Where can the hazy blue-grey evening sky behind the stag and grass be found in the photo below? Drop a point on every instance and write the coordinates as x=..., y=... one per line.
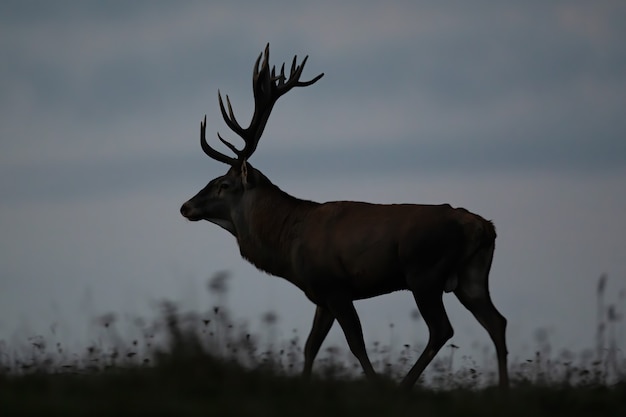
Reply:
x=513, y=110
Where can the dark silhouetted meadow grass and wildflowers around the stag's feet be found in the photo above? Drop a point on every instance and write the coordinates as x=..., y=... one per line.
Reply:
x=184, y=363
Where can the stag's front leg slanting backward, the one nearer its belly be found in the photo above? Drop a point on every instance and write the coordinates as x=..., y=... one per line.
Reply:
x=346, y=315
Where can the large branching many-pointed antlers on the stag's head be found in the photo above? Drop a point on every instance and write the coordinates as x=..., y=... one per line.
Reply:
x=267, y=88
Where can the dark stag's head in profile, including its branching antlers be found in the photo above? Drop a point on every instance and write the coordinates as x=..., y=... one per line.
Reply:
x=220, y=201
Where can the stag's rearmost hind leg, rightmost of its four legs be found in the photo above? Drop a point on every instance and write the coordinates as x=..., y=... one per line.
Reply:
x=473, y=292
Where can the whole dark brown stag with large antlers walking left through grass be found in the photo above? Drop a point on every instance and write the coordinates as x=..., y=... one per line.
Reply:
x=342, y=251
